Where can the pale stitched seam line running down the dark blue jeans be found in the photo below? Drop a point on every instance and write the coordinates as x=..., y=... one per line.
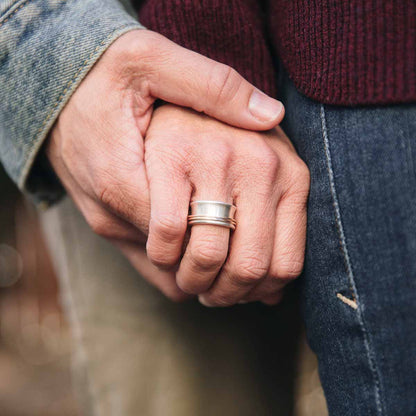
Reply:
x=370, y=354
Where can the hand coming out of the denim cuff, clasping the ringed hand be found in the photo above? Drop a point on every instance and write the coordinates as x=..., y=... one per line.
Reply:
x=96, y=146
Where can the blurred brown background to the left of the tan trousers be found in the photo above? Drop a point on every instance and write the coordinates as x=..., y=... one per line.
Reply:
x=35, y=340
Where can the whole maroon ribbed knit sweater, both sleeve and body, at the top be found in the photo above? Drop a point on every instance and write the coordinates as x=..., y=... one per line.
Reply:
x=346, y=52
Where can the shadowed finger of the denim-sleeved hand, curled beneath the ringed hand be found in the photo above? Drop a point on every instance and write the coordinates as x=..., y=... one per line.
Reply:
x=163, y=280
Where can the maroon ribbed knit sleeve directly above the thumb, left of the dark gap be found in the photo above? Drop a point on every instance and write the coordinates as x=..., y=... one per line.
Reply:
x=231, y=32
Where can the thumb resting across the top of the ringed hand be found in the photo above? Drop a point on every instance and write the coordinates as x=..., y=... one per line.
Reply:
x=188, y=79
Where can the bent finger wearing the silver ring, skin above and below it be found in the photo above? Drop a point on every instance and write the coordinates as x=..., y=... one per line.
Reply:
x=207, y=249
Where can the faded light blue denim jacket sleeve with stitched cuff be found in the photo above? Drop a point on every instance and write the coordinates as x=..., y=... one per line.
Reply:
x=46, y=49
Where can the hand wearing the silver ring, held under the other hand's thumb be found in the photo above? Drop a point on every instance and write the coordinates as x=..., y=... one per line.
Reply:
x=189, y=156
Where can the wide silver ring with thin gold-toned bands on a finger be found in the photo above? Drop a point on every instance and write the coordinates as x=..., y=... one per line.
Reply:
x=212, y=213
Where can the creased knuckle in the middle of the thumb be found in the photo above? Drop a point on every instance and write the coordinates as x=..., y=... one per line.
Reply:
x=223, y=83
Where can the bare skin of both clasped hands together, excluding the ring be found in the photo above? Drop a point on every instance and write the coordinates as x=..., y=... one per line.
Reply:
x=132, y=171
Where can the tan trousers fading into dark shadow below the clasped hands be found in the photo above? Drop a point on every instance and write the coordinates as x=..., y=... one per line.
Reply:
x=137, y=353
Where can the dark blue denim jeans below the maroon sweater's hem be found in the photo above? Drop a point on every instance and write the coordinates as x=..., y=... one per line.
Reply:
x=359, y=283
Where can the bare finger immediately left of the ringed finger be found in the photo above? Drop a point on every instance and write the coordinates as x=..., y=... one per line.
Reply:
x=170, y=192
